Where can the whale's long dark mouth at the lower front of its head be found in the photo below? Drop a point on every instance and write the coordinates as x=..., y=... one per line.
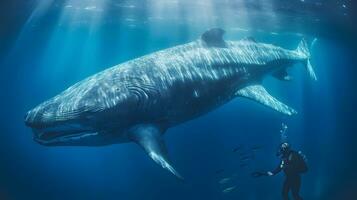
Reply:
x=64, y=134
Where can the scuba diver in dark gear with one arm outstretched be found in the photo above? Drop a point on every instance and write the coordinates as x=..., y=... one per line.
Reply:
x=293, y=164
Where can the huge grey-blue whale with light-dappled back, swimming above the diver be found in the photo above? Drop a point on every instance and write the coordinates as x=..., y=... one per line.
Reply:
x=139, y=100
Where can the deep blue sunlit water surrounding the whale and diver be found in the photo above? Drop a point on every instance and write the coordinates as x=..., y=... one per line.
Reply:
x=47, y=46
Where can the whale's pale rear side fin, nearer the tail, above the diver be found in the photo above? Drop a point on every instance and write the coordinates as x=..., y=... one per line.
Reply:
x=259, y=94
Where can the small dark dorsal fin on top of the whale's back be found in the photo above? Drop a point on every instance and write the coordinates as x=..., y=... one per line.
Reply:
x=214, y=38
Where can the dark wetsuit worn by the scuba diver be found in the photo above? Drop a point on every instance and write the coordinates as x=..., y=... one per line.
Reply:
x=293, y=180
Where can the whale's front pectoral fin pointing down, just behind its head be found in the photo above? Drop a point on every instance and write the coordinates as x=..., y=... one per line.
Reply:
x=149, y=137
